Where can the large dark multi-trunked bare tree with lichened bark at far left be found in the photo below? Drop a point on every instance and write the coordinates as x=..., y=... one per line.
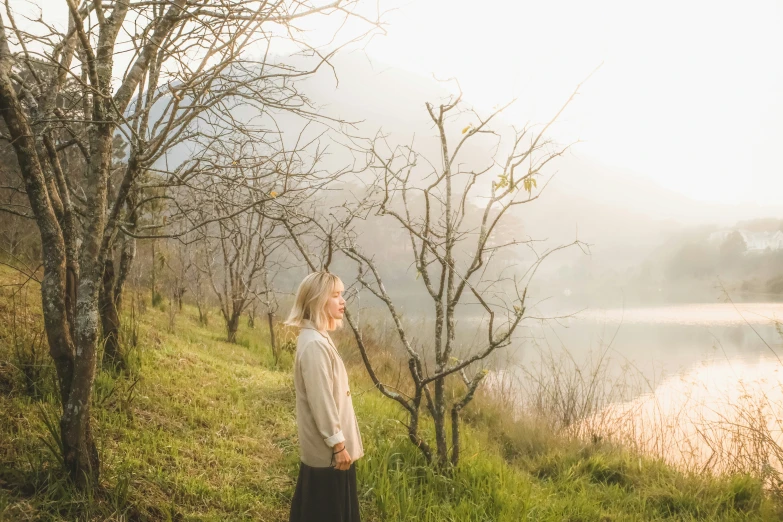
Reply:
x=152, y=71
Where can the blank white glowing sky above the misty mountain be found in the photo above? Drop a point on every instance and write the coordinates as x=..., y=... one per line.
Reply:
x=689, y=94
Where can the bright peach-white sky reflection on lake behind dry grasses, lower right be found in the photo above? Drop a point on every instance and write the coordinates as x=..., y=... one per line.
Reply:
x=719, y=416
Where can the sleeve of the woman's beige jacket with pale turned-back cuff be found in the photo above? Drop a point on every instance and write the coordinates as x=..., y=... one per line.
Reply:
x=318, y=376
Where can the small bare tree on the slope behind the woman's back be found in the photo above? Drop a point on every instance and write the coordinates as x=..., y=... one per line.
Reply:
x=241, y=246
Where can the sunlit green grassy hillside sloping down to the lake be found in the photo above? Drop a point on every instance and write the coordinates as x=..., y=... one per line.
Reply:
x=204, y=430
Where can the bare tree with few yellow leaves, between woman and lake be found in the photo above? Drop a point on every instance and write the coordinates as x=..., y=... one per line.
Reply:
x=452, y=215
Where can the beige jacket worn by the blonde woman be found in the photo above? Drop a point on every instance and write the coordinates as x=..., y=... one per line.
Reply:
x=324, y=409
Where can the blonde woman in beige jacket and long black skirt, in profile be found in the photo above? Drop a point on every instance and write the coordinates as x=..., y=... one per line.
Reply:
x=329, y=439
